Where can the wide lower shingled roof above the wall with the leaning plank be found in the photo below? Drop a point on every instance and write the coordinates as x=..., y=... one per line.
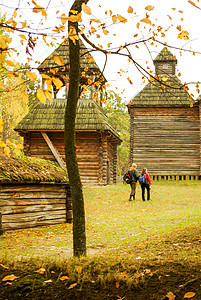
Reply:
x=50, y=117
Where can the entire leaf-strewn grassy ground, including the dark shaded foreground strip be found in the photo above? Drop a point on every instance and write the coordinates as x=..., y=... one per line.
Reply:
x=136, y=250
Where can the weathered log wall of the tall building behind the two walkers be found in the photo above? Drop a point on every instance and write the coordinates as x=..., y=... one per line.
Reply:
x=166, y=140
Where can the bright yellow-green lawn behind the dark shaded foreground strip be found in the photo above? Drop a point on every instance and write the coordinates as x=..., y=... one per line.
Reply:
x=116, y=226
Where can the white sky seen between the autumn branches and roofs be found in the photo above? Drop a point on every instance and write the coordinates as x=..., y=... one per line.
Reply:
x=188, y=65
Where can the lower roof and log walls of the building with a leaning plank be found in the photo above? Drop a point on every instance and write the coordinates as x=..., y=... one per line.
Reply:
x=96, y=139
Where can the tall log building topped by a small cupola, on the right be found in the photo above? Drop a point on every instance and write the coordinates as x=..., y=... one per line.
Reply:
x=165, y=125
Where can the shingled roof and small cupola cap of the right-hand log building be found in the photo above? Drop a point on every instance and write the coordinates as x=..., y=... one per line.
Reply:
x=167, y=90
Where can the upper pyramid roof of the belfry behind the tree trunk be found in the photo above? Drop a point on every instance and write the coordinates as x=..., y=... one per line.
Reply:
x=86, y=60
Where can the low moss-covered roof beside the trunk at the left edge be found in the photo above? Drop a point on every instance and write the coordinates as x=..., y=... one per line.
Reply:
x=30, y=170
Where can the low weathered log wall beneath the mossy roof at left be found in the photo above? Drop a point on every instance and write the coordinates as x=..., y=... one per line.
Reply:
x=31, y=205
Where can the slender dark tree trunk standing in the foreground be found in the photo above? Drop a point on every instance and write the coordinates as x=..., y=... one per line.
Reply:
x=79, y=235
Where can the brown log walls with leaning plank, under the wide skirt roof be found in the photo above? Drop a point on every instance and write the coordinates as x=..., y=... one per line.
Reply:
x=94, y=149
